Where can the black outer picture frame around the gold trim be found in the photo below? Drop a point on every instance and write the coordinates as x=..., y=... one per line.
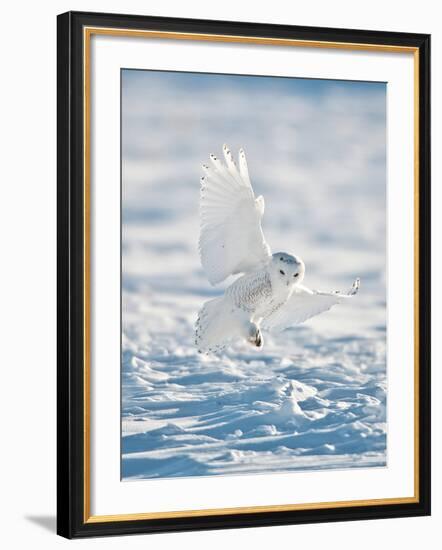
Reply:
x=71, y=502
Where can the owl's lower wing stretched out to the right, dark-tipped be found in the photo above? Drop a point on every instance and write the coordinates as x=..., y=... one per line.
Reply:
x=304, y=304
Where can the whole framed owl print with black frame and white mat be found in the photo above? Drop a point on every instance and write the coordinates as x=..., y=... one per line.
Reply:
x=243, y=274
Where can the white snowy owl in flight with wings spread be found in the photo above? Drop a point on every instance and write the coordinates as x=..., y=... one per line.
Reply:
x=268, y=294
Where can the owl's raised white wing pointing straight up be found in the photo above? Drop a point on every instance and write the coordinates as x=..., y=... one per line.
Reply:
x=231, y=238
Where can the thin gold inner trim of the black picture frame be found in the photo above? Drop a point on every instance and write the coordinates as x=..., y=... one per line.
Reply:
x=134, y=33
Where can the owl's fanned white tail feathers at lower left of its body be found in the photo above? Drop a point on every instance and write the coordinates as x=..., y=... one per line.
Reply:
x=215, y=326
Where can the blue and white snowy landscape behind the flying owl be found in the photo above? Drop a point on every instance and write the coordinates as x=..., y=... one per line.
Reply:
x=315, y=396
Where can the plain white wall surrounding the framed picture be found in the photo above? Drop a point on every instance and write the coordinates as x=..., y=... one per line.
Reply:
x=27, y=273
